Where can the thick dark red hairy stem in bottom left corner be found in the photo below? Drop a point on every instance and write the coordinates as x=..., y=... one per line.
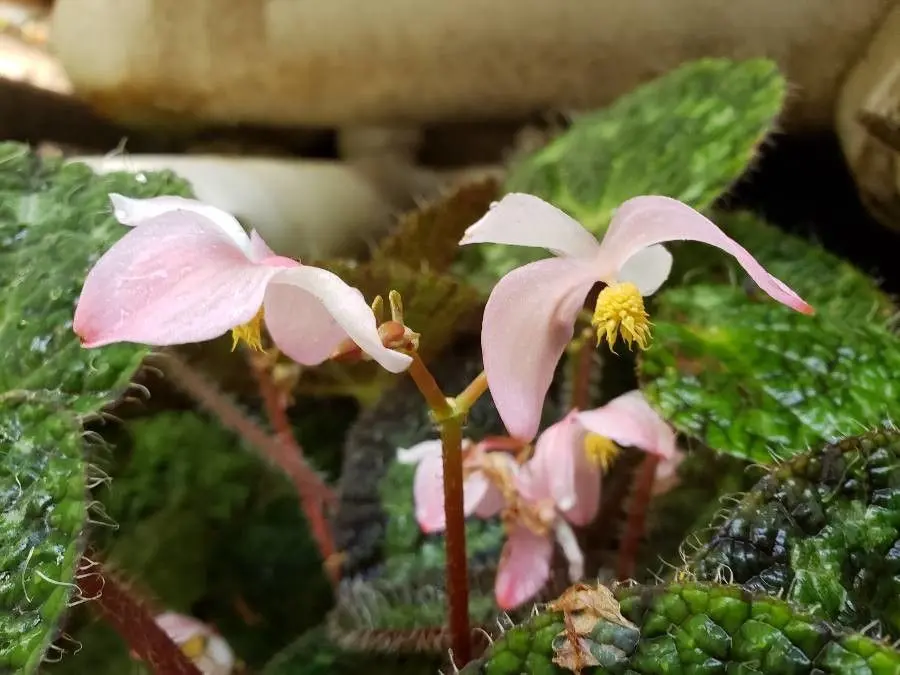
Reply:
x=132, y=620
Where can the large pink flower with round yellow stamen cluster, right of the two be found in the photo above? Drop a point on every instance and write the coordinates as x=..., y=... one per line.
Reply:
x=530, y=316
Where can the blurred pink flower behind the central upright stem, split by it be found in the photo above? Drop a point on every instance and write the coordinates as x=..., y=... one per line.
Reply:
x=480, y=496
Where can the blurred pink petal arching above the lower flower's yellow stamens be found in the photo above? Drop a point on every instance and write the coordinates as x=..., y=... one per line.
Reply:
x=630, y=421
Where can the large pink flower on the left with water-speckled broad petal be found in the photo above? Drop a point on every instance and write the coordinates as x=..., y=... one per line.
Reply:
x=188, y=272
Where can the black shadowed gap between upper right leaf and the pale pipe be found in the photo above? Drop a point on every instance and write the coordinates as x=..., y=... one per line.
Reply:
x=803, y=185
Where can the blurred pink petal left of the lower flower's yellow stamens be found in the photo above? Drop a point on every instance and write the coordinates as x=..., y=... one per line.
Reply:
x=560, y=470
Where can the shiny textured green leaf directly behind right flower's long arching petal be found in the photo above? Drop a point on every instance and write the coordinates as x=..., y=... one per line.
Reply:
x=744, y=374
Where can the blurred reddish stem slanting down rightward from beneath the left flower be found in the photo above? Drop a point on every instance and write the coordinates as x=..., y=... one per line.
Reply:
x=312, y=491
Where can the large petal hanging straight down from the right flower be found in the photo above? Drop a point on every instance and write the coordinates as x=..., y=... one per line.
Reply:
x=528, y=321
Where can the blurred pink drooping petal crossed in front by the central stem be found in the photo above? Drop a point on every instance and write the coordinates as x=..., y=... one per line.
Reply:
x=479, y=495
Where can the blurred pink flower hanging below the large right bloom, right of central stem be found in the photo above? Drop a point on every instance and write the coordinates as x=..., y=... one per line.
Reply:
x=561, y=483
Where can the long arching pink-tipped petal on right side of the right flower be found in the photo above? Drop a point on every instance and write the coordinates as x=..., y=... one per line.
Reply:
x=643, y=221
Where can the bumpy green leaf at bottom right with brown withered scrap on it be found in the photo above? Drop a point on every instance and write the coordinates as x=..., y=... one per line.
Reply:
x=701, y=629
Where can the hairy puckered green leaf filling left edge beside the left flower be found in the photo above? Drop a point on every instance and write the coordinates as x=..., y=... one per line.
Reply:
x=55, y=221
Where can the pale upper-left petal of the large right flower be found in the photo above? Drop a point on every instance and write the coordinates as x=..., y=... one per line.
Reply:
x=525, y=220
